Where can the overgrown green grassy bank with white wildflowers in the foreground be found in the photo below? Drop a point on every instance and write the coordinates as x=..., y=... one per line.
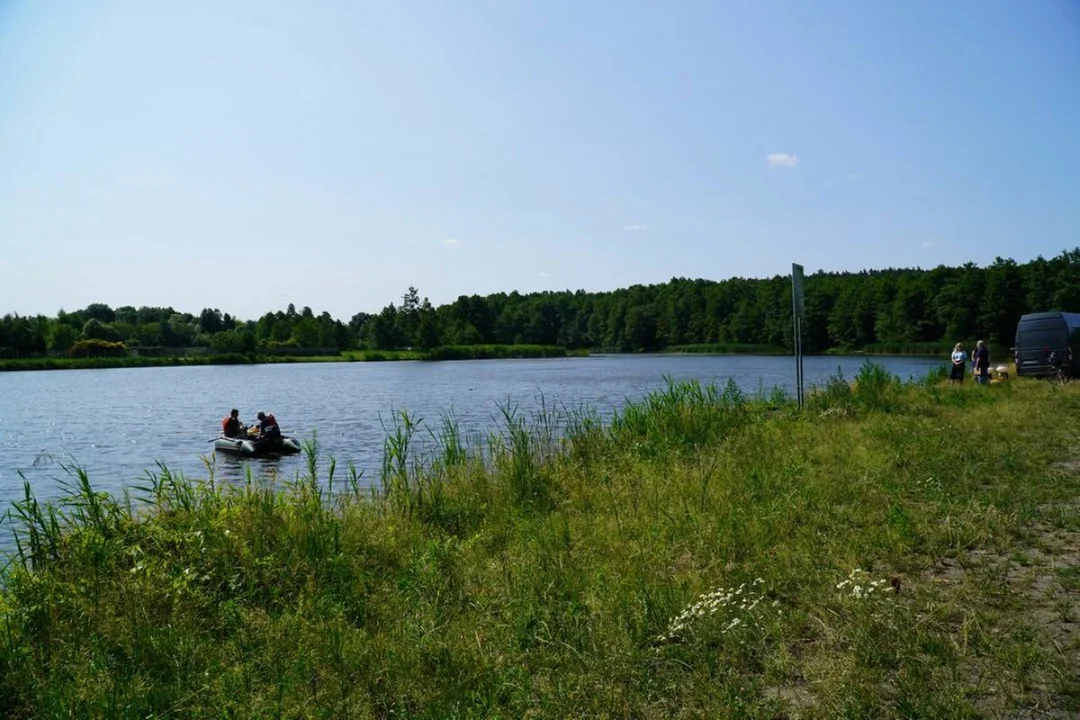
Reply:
x=890, y=552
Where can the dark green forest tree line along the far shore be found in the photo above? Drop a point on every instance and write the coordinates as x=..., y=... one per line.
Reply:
x=847, y=311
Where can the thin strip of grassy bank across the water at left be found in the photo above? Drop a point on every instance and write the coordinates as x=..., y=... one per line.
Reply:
x=447, y=352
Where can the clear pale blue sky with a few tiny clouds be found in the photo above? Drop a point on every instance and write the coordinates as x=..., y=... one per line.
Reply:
x=249, y=155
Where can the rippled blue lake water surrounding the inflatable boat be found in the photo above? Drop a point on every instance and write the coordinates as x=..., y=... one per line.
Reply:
x=119, y=424
